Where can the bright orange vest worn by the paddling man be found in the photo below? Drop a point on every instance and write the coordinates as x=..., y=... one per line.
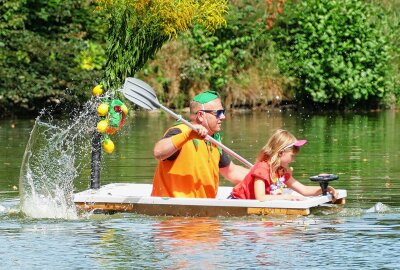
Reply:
x=193, y=174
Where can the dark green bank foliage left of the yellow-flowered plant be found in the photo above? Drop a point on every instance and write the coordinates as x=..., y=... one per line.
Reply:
x=44, y=45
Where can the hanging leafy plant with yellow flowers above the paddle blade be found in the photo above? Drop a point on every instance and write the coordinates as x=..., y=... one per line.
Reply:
x=138, y=28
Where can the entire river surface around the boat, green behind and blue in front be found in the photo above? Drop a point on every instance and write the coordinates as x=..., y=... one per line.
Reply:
x=363, y=149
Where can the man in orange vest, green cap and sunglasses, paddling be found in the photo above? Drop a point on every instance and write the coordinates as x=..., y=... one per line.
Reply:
x=188, y=165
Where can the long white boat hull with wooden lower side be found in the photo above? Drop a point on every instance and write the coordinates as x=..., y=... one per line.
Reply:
x=125, y=197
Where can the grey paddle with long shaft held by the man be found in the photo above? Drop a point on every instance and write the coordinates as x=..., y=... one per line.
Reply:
x=144, y=96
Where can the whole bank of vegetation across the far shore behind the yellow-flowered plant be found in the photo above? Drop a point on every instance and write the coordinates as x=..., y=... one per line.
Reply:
x=297, y=55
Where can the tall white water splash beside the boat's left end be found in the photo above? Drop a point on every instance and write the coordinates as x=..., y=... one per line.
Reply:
x=56, y=152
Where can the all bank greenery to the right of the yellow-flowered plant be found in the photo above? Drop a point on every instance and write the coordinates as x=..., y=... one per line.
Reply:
x=338, y=53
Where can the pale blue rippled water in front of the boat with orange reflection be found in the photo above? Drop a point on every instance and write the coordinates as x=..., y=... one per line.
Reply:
x=347, y=240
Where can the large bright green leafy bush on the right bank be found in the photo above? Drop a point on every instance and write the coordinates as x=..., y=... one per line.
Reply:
x=334, y=50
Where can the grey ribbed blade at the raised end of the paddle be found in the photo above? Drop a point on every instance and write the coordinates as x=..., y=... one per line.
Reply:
x=140, y=93
